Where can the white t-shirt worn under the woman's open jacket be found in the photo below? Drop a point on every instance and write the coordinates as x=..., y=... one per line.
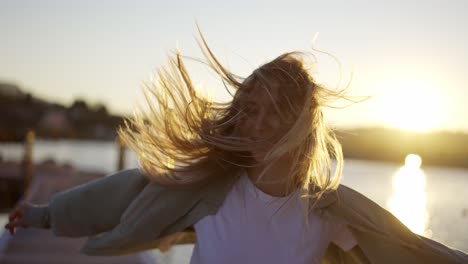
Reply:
x=254, y=227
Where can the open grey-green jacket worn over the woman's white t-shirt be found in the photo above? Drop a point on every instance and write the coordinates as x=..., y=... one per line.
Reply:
x=125, y=213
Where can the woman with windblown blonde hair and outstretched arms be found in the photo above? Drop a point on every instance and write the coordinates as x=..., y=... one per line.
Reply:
x=252, y=176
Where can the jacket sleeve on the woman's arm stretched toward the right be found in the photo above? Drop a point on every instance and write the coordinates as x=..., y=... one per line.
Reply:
x=382, y=237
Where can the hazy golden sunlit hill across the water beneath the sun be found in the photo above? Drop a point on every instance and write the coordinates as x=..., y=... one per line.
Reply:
x=436, y=148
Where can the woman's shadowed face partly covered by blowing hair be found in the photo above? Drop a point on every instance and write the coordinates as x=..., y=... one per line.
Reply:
x=262, y=122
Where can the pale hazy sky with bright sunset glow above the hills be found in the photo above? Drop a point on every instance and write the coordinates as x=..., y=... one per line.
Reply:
x=408, y=56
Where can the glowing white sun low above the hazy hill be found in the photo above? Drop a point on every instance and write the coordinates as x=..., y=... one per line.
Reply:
x=412, y=105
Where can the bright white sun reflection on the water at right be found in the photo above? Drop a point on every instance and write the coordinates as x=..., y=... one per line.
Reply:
x=409, y=198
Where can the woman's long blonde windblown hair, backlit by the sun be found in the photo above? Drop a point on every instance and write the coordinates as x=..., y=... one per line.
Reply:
x=185, y=138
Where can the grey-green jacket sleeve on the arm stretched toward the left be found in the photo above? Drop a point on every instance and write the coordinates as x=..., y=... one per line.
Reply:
x=91, y=208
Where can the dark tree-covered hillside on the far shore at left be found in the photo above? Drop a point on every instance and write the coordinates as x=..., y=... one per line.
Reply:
x=22, y=112
